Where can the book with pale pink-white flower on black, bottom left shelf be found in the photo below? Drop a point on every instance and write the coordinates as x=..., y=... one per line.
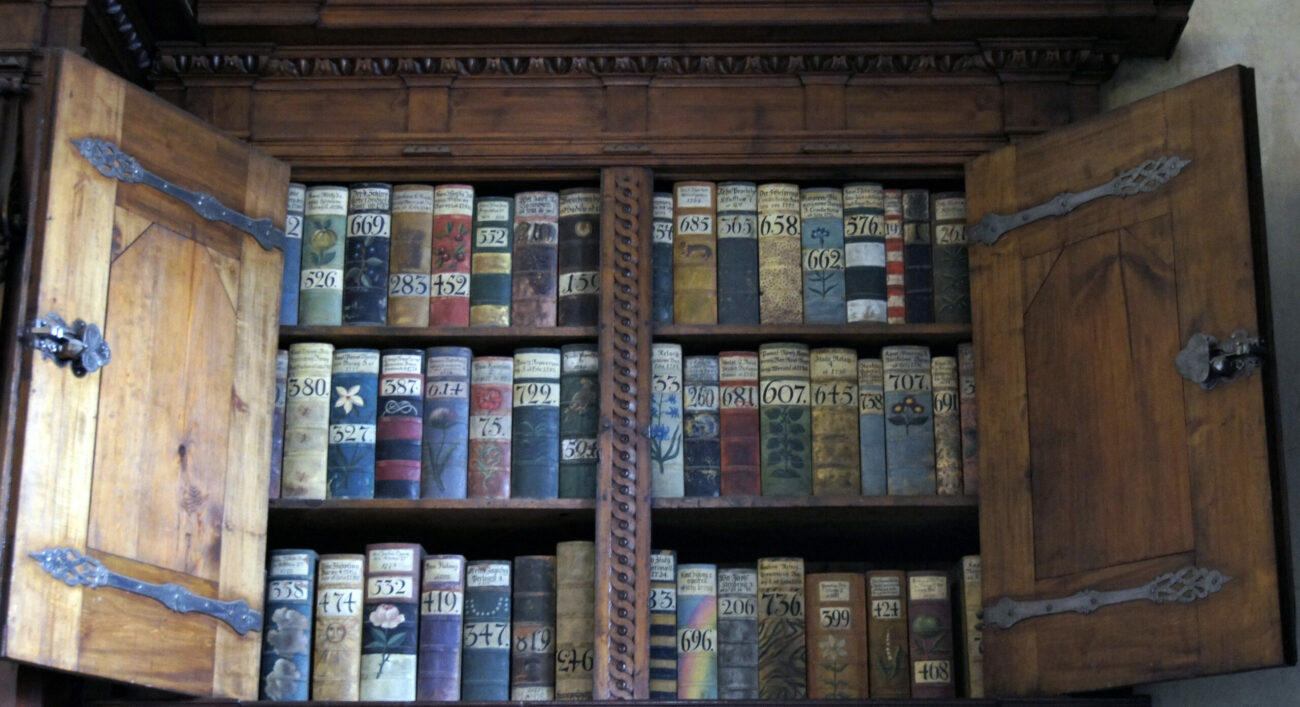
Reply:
x=392, y=623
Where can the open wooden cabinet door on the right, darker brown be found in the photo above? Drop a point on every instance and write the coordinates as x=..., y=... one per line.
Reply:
x=1128, y=517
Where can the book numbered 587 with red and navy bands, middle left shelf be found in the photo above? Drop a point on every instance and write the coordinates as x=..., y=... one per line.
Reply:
x=400, y=430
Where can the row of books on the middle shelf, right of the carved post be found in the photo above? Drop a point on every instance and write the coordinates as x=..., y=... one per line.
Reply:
x=790, y=420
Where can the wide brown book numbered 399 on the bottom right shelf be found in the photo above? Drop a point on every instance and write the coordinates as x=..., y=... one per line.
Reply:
x=838, y=636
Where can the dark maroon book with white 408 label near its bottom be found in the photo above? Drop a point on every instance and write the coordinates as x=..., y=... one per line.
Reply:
x=930, y=613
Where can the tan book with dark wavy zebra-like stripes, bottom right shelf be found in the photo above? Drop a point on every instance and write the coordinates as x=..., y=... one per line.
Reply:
x=782, y=649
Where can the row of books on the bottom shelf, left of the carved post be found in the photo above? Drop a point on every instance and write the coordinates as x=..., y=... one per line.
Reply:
x=396, y=624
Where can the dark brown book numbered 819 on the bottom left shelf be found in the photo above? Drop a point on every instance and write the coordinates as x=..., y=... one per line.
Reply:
x=532, y=657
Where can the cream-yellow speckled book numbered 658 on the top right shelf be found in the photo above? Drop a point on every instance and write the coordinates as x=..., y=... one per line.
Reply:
x=779, y=255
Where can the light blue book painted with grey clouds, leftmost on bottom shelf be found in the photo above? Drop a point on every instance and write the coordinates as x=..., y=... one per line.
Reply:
x=287, y=636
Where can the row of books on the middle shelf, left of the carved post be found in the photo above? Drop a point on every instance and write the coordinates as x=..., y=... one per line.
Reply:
x=441, y=423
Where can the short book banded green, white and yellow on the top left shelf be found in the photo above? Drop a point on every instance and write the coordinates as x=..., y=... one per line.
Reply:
x=491, y=271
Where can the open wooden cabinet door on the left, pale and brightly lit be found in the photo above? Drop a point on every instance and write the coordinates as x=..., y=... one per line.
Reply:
x=154, y=466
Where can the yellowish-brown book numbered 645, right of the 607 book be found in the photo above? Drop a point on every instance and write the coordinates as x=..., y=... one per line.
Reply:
x=837, y=470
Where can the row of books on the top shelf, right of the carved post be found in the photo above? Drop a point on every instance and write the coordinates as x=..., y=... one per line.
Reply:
x=775, y=254
